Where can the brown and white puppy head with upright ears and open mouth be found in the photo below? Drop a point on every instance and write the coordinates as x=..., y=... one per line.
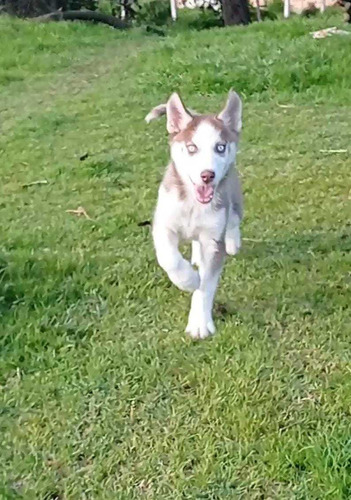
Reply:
x=203, y=147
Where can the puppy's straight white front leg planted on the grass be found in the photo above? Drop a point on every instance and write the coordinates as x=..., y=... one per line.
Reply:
x=200, y=323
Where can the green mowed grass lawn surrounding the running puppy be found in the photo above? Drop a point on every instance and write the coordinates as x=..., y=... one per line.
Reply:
x=103, y=395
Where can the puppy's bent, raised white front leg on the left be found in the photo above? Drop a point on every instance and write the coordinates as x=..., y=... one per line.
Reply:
x=179, y=270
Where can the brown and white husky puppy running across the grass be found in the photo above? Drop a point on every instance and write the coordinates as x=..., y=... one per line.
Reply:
x=200, y=201
